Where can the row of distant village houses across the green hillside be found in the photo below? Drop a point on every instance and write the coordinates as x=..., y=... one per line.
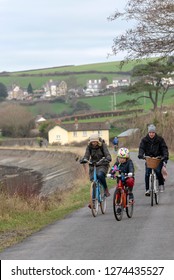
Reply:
x=54, y=89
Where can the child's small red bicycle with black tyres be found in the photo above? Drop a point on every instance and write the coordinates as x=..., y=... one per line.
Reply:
x=121, y=197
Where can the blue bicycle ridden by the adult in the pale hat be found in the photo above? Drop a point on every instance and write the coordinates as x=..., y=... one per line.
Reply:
x=97, y=192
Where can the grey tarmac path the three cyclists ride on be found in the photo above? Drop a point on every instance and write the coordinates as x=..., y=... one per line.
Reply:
x=147, y=235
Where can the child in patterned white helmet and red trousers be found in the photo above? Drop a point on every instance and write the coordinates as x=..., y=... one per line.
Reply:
x=125, y=165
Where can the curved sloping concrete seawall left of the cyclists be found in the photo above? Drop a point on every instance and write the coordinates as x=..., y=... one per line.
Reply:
x=38, y=171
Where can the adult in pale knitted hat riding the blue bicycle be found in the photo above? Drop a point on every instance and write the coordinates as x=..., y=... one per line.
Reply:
x=95, y=151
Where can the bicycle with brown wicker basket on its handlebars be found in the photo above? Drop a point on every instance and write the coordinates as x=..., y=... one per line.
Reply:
x=153, y=162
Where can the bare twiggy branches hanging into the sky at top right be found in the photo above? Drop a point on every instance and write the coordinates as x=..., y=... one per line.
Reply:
x=153, y=34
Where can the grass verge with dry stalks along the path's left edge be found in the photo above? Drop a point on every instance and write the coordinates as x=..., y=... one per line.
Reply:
x=21, y=216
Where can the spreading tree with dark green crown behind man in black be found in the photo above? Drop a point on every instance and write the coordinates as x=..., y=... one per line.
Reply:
x=149, y=81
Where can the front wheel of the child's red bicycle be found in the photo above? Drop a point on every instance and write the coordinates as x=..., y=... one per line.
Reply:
x=117, y=205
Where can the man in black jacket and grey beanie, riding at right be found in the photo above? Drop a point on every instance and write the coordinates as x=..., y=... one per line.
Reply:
x=153, y=145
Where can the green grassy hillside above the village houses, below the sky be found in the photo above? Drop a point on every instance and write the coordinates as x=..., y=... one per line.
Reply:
x=80, y=73
